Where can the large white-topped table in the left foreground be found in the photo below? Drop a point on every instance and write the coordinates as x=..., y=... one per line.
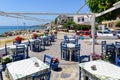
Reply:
x=23, y=69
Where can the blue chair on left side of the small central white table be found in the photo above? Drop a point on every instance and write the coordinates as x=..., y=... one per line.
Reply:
x=64, y=51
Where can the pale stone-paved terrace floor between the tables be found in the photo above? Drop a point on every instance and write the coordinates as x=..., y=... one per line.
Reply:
x=68, y=69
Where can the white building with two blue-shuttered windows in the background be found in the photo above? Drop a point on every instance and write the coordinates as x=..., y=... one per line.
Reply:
x=81, y=19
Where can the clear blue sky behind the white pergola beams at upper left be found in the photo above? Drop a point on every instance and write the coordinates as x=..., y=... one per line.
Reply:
x=44, y=6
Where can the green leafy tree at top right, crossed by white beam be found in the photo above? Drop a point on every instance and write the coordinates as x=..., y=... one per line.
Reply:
x=97, y=6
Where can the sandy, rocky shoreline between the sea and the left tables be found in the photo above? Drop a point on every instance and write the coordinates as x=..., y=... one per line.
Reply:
x=24, y=34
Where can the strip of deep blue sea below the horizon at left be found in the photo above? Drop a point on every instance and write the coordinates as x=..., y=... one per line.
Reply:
x=4, y=29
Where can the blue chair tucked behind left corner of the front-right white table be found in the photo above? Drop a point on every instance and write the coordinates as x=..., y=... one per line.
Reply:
x=81, y=59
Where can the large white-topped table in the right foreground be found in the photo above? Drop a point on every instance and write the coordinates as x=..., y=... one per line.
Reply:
x=104, y=70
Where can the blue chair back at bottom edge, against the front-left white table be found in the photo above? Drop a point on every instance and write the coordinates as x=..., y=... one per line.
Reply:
x=42, y=76
